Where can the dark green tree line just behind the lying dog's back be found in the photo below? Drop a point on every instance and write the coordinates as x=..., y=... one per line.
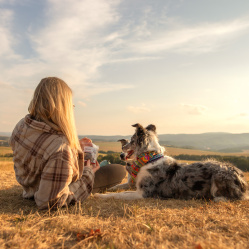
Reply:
x=241, y=162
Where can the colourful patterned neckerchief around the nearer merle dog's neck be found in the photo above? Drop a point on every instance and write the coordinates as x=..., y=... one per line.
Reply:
x=143, y=159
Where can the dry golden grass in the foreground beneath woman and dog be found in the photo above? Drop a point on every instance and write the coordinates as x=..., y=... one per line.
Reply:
x=146, y=223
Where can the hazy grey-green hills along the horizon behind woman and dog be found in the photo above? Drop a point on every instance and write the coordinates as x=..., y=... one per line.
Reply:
x=212, y=141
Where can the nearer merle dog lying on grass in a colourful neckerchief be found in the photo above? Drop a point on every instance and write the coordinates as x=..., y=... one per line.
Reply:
x=160, y=176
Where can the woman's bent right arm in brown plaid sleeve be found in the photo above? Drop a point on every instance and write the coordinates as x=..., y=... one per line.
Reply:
x=55, y=188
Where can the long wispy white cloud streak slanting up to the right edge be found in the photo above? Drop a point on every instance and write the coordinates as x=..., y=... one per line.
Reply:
x=201, y=38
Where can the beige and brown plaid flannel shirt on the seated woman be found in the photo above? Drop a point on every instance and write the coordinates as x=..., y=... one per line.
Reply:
x=46, y=166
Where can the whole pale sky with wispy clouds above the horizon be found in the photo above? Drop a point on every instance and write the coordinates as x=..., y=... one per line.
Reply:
x=179, y=64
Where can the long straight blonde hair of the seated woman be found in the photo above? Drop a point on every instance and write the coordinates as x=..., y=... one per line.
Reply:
x=52, y=104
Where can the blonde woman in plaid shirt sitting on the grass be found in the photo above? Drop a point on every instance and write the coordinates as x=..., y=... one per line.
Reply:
x=48, y=158
